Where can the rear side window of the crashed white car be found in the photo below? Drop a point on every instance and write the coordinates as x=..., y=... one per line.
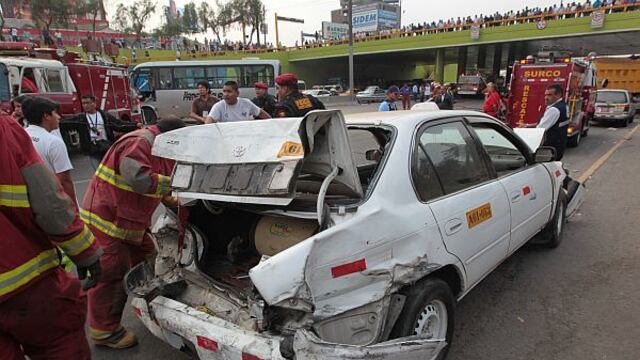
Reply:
x=453, y=160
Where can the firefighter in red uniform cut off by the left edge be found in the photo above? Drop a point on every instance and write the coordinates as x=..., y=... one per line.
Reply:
x=42, y=309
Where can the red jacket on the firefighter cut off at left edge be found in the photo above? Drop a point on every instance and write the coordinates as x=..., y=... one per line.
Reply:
x=36, y=216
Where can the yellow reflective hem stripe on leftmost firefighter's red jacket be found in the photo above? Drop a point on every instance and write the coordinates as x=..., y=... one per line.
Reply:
x=12, y=280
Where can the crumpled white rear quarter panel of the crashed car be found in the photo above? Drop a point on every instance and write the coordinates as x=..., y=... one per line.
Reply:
x=395, y=235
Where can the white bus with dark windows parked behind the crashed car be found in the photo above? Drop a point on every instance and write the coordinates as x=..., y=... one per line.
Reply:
x=169, y=87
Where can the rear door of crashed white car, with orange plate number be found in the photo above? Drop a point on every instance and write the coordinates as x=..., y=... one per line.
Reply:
x=468, y=203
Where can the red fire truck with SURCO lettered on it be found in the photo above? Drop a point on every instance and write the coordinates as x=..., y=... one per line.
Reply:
x=531, y=77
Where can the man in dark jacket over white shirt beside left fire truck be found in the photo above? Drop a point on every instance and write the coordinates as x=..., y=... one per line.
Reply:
x=100, y=129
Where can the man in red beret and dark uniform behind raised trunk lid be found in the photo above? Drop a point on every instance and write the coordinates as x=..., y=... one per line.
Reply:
x=293, y=103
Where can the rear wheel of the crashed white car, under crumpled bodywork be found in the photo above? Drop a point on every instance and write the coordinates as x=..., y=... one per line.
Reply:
x=429, y=303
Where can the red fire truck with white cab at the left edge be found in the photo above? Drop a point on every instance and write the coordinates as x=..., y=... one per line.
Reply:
x=65, y=77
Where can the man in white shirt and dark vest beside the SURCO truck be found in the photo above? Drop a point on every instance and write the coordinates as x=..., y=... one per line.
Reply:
x=555, y=120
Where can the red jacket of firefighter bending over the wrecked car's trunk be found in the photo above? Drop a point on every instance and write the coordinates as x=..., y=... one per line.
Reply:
x=127, y=187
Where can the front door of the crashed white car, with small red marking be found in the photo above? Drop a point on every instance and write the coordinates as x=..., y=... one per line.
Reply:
x=527, y=184
